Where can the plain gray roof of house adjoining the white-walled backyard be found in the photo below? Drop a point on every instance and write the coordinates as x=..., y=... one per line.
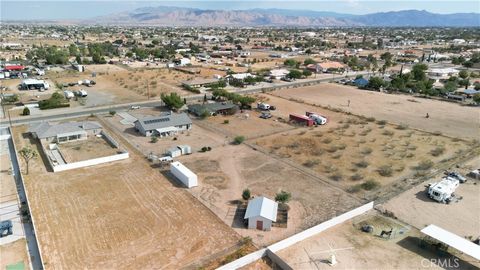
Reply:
x=47, y=130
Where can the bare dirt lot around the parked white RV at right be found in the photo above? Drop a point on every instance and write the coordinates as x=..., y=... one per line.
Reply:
x=459, y=217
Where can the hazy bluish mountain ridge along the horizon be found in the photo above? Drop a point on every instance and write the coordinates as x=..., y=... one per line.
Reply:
x=178, y=16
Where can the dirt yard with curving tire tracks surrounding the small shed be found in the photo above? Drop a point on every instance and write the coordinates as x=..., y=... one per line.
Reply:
x=226, y=171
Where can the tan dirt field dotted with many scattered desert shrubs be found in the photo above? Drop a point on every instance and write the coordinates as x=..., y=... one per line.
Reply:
x=359, y=154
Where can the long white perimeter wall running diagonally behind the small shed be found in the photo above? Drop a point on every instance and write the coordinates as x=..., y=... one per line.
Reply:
x=297, y=237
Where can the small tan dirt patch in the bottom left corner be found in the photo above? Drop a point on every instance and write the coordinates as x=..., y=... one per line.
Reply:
x=14, y=253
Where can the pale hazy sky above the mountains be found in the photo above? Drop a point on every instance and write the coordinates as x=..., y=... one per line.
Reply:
x=74, y=9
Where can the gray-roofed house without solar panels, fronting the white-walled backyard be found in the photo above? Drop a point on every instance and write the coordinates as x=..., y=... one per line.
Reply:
x=48, y=132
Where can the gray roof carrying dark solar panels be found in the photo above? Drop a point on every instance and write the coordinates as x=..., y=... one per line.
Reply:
x=164, y=120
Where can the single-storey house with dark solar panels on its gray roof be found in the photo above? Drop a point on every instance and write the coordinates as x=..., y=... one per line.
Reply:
x=166, y=124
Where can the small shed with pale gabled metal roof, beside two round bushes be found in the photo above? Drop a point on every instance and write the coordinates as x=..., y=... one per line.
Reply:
x=261, y=212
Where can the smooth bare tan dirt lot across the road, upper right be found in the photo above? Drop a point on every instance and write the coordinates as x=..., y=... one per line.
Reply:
x=448, y=118
